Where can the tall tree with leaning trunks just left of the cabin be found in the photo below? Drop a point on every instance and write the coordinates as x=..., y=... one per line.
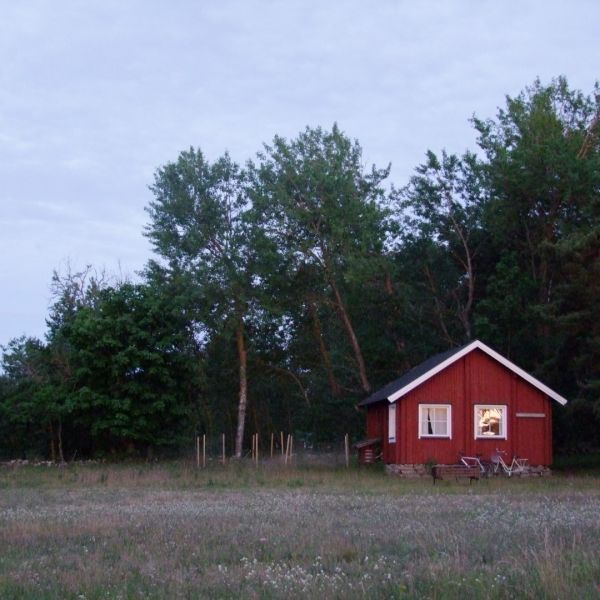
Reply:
x=322, y=214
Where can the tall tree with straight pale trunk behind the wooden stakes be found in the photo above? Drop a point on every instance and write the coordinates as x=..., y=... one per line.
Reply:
x=198, y=226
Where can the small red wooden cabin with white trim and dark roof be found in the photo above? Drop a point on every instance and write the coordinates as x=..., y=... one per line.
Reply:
x=468, y=400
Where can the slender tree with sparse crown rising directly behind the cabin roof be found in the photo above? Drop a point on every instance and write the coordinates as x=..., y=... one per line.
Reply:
x=441, y=210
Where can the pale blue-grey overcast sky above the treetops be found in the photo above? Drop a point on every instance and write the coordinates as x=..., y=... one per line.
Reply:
x=95, y=95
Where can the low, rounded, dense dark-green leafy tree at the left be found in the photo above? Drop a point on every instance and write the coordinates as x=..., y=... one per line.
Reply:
x=135, y=367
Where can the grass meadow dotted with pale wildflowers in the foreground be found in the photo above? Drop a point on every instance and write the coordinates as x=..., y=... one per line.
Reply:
x=171, y=531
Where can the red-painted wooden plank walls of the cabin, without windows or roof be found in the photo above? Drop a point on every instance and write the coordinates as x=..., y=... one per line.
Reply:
x=474, y=379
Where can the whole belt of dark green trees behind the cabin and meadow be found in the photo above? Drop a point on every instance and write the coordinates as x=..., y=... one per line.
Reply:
x=284, y=290
